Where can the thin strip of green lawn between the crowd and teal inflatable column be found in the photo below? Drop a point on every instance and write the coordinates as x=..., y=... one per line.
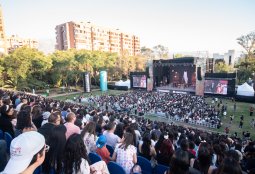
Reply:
x=93, y=93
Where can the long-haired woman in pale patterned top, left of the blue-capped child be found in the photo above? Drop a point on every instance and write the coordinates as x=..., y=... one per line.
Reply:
x=89, y=136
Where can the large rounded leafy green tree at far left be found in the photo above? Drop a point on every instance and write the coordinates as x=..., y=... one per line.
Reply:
x=25, y=66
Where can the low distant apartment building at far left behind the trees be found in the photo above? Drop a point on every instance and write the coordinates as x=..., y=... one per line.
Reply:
x=15, y=42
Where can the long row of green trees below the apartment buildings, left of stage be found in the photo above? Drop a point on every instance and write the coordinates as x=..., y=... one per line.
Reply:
x=29, y=68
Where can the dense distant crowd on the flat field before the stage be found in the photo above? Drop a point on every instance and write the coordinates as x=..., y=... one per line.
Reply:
x=178, y=106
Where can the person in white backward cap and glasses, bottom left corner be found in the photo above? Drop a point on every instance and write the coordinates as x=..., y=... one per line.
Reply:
x=27, y=152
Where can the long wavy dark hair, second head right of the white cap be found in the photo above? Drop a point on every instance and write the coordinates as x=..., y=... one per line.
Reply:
x=75, y=150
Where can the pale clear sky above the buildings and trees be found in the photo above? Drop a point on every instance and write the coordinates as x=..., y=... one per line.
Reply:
x=180, y=25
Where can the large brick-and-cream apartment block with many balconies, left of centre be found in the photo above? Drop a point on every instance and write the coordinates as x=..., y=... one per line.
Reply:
x=84, y=35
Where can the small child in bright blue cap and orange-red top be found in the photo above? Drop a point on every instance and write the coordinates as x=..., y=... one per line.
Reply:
x=102, y=150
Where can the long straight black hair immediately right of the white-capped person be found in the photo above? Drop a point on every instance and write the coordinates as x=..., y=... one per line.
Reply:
x=54, y=157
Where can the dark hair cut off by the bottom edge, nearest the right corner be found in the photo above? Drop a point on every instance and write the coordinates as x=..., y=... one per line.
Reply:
x=229, y=165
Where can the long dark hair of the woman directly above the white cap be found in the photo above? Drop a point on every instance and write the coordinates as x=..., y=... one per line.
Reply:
x=23, y=120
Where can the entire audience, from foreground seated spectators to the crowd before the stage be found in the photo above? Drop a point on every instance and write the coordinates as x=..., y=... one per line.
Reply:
x=58, y=136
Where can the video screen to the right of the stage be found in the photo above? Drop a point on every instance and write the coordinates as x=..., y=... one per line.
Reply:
x=216, y=86
